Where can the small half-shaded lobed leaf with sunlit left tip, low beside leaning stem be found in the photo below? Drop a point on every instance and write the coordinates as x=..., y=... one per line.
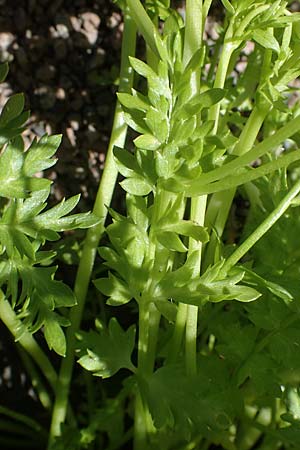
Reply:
x=106, y=352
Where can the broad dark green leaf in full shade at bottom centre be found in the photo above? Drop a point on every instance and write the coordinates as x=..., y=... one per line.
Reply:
x=190, y=404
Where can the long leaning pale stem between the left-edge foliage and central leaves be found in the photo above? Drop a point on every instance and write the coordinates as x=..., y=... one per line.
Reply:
x=103, y=199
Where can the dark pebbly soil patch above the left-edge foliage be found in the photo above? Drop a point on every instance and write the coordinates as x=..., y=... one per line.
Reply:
x=64, y=55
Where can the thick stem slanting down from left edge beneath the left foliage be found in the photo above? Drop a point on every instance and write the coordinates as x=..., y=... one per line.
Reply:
x=25, y=339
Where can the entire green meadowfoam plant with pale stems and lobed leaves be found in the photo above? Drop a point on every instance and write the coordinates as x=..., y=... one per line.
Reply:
x=209, y=357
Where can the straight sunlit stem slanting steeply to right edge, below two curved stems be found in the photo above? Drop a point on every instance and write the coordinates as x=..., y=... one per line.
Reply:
x=261, y=229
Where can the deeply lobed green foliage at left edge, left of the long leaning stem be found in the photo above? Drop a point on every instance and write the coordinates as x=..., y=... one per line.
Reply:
x=25, y=275
